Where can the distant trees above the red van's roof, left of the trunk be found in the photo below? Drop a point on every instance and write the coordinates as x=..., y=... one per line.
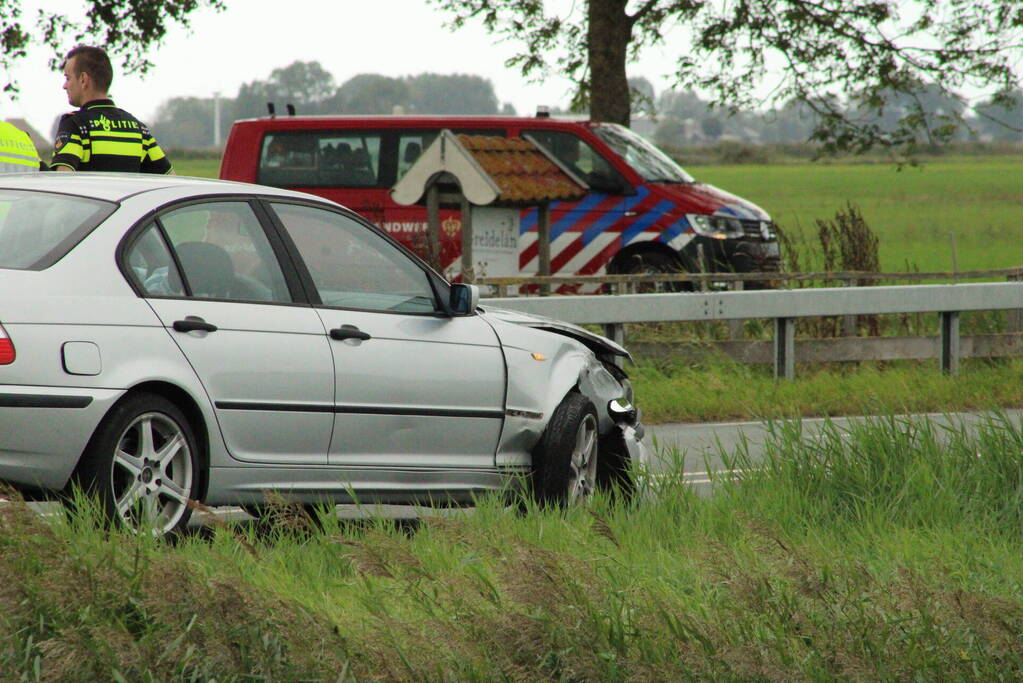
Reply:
x=189, y=122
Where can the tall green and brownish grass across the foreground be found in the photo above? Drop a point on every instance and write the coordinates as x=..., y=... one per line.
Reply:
x=886, y=552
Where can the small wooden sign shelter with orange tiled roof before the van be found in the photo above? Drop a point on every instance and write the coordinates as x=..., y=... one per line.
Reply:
x=492, y=179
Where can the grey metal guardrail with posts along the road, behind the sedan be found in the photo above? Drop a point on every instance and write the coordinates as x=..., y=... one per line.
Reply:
x=784, y=306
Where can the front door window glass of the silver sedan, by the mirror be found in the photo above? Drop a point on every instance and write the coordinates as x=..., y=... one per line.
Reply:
x=352, y=266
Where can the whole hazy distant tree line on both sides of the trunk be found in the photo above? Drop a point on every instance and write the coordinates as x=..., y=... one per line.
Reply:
x=672, y=118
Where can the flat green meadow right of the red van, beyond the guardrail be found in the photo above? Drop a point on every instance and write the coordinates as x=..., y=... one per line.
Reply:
x=917, y=212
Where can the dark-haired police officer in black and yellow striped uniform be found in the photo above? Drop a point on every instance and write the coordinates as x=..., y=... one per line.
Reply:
x=100, y=136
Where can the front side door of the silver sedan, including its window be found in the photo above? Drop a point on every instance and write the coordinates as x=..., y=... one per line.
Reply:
x=414, y=388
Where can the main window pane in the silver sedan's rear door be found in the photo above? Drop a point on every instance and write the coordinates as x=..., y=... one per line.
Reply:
x=225, y=253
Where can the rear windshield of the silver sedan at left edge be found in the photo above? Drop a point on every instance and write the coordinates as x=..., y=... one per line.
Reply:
x=37, y=230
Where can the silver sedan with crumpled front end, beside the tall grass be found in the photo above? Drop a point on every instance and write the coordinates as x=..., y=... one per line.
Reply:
x=166, y=340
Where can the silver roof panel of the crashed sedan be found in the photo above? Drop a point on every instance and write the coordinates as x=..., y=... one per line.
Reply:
x=118, y=187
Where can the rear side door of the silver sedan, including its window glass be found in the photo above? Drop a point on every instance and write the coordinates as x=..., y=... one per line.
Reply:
x=212, y=276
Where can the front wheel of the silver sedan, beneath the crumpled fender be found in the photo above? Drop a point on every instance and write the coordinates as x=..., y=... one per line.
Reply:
x=565, y=462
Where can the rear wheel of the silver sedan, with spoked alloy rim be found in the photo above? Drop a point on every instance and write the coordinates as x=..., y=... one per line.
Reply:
x=144, y=466
